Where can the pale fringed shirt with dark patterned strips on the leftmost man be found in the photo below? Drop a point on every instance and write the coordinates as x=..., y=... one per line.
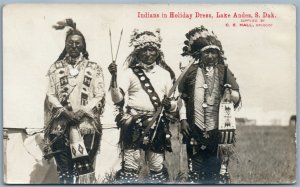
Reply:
x=84, y=91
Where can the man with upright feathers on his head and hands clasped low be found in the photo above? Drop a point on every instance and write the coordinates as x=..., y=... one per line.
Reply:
x=74, y=102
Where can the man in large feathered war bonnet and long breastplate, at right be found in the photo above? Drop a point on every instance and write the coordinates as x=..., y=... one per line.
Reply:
x=207, y=82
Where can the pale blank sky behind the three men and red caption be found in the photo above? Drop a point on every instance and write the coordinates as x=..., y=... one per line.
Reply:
x=262, y=58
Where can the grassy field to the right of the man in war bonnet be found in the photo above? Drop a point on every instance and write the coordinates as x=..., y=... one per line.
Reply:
x=267, y=155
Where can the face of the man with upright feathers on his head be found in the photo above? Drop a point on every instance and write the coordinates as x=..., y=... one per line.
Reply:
x=74, y=45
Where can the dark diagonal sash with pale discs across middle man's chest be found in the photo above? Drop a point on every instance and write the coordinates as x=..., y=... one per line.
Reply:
x=147, y=86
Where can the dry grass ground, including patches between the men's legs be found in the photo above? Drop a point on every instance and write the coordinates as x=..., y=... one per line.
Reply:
x=267, y=155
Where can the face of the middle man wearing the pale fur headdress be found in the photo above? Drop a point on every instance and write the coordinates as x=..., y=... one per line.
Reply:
x=148, y=55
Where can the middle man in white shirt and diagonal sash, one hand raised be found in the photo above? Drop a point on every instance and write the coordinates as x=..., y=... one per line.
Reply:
x=143, y=86
